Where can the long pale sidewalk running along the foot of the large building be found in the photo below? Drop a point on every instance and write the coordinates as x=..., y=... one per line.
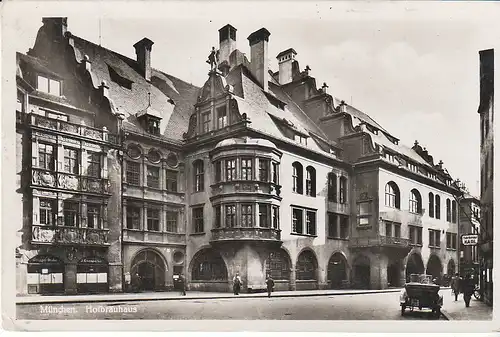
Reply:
x=191, y=295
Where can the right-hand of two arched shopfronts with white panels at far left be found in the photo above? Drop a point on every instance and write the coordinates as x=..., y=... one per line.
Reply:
x=92, y=275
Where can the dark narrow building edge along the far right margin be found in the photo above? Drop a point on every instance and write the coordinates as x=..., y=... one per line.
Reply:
x=486, y=111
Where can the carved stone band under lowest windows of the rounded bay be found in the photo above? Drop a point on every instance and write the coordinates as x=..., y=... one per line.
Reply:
x=246, y=234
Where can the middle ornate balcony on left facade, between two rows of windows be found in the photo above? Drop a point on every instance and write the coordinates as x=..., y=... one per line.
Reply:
x=68, y=181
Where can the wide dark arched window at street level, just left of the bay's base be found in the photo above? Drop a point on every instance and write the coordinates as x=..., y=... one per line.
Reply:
x=209, y=266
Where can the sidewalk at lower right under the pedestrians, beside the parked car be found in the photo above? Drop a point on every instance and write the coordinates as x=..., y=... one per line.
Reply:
x=477, y=311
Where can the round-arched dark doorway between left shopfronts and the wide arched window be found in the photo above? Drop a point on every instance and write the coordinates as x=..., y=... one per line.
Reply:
x=148, y=270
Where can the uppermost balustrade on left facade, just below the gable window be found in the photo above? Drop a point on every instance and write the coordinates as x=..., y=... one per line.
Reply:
x=70, y=128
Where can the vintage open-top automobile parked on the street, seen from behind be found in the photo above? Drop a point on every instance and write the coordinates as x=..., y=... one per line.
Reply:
x=420, y=293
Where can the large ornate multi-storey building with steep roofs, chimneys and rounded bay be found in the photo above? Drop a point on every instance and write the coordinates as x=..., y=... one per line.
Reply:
x=257, y=172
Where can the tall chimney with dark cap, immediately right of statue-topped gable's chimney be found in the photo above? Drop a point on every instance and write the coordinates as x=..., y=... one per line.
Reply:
x=259, y=56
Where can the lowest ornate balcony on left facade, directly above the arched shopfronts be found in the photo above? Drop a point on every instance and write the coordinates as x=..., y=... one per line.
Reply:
x=69, y=236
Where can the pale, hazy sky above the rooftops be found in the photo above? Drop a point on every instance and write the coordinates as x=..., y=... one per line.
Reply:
x=413, y=67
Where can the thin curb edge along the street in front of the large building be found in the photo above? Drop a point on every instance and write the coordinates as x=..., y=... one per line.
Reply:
x=263, y=295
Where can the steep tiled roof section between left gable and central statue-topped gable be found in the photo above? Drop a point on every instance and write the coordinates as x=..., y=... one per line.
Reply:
x=172, y=98
